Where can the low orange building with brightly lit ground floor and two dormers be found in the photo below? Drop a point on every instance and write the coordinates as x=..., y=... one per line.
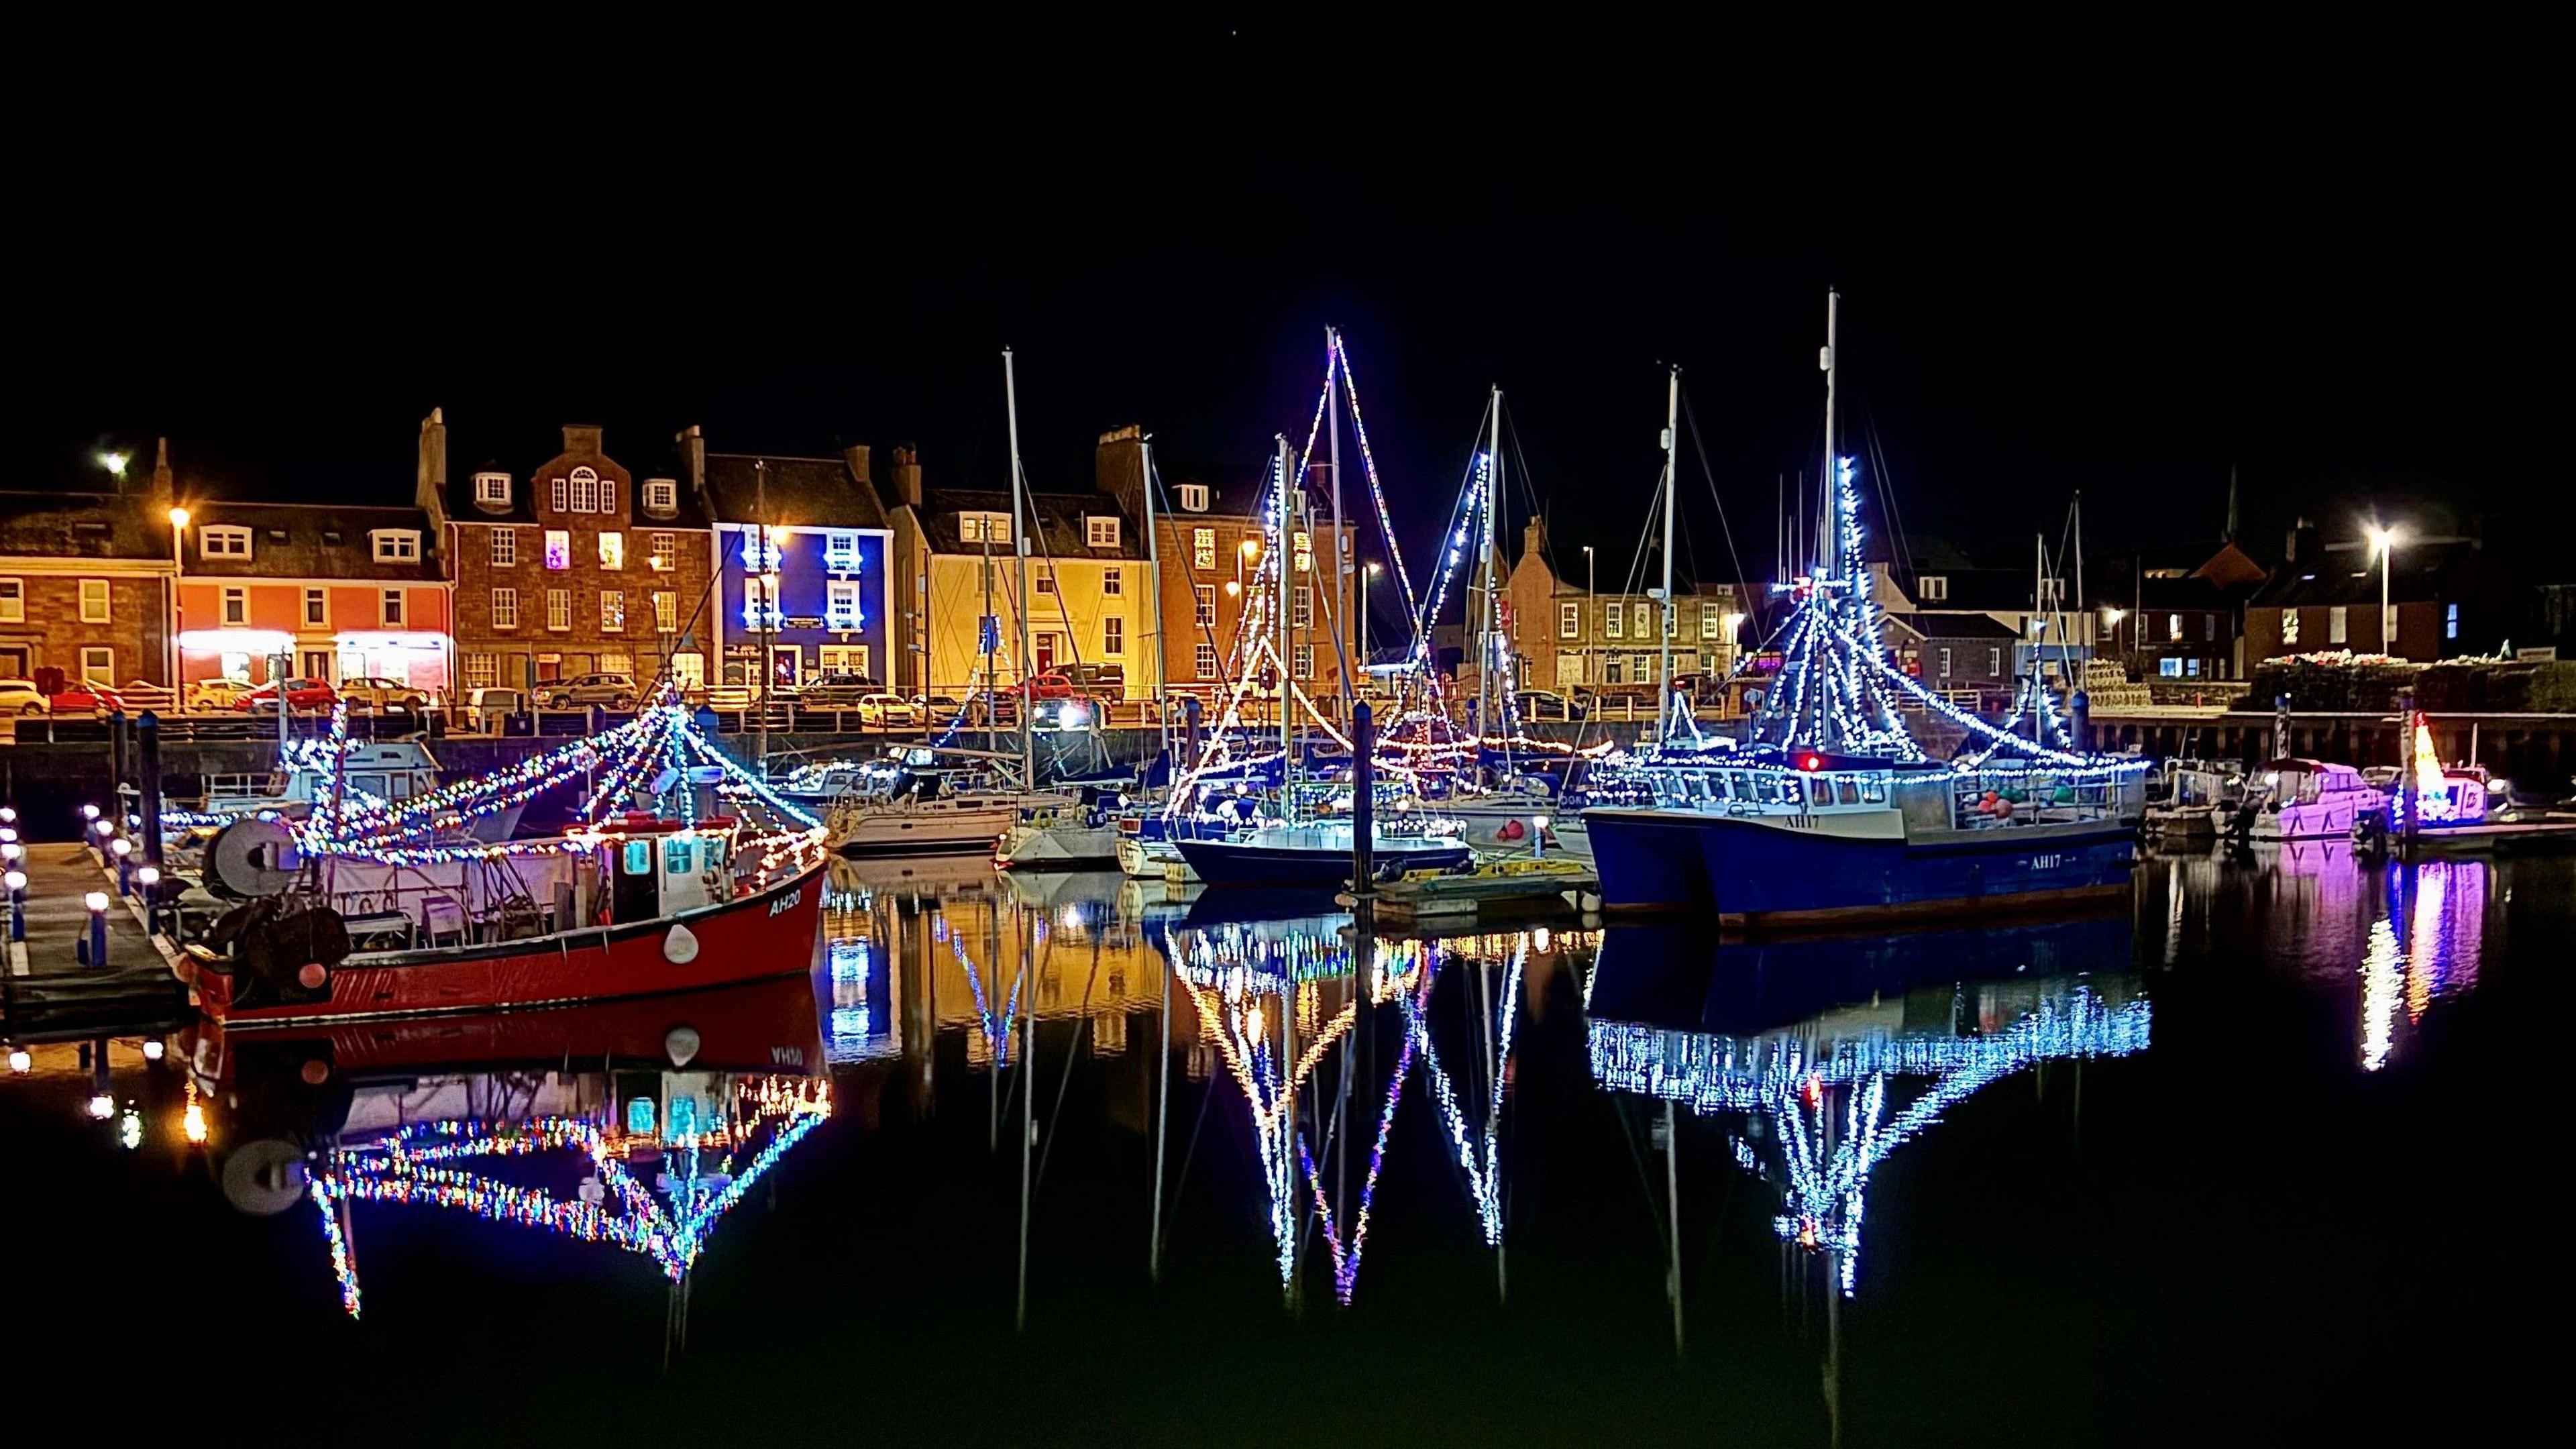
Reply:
x=341, y=592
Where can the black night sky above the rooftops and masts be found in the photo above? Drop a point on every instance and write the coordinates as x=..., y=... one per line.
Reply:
x=2121, y=290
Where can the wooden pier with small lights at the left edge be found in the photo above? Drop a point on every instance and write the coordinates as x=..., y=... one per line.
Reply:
x=50, y=991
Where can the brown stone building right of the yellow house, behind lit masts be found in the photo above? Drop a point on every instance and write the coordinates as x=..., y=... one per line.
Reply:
x=1207, y=571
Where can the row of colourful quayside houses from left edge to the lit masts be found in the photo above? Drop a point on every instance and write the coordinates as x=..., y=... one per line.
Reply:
x=715, y=569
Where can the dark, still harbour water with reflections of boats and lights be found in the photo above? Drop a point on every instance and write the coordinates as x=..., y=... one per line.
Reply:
x=2250, y=1162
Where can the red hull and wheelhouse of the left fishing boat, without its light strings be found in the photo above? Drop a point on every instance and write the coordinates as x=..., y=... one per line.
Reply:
x=643, y=917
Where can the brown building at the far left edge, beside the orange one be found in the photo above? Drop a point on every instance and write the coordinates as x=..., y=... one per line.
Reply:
x=86, y=584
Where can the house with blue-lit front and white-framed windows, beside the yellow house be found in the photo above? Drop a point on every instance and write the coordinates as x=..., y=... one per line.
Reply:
x=805, y=548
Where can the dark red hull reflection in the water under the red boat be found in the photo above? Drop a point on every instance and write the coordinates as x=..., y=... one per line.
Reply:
x=753, y=1027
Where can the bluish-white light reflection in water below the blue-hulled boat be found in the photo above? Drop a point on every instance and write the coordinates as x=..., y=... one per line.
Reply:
x=1792, y=1082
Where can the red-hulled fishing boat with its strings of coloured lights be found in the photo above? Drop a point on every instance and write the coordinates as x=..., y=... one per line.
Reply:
x=370, y=911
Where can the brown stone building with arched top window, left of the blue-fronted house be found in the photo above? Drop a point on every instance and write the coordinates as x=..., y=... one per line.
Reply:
x=578, y=569
